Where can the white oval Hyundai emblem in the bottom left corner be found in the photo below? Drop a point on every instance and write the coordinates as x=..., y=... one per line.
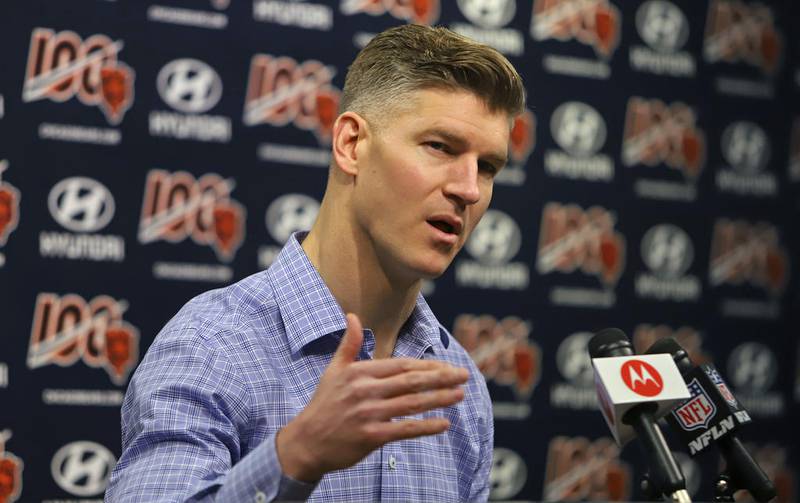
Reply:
x=82, y=468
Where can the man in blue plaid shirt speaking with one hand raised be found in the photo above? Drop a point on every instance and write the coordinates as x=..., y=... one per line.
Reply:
x=266, y=390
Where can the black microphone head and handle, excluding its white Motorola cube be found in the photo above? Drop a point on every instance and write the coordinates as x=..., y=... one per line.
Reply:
x=665, y=474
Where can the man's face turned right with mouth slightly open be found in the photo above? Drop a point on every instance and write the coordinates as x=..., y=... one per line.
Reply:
x=425, y=179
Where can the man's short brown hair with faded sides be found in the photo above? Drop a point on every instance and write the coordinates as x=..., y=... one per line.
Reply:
x=410, y=58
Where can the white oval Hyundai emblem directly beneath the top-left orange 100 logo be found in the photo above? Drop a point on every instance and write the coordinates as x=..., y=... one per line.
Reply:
x=81, y=204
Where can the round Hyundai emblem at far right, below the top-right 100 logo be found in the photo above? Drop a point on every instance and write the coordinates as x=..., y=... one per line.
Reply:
x=745, y=147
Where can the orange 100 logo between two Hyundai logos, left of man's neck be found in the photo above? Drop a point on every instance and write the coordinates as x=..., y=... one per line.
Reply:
x=177, y=206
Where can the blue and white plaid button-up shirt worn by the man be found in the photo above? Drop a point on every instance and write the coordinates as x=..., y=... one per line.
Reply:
x=236, y=364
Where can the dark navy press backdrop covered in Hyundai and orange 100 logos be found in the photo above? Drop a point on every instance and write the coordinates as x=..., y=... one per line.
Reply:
x=152, y=150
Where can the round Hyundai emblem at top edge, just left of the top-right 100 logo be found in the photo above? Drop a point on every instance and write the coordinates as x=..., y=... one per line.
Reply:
x=662, y=25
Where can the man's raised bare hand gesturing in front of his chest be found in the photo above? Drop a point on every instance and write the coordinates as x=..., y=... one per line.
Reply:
x=351, y=412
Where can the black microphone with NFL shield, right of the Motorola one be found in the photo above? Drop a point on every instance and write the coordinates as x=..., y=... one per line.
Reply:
x=713, y=413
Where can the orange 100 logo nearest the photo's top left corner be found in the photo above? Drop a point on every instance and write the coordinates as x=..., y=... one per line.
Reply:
x=62, y=65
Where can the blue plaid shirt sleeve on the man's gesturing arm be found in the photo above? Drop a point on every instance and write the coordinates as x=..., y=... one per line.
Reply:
x=184, y=415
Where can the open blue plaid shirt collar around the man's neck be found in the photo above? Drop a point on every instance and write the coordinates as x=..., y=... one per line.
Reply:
x=309, y=310
